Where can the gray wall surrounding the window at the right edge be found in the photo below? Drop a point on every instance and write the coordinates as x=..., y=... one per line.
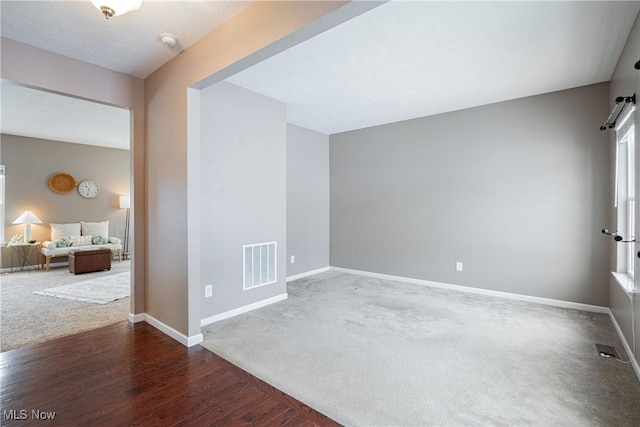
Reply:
x=626, y=81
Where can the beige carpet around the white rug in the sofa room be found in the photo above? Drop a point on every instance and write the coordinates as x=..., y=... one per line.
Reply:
x=27, y=319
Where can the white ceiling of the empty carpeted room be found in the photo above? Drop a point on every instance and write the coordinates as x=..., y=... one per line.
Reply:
x=404, y=60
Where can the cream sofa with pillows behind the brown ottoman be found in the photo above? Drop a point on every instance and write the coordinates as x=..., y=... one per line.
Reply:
x=78, y=236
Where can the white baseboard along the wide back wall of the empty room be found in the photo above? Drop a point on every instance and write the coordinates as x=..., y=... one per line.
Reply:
x=499, y=294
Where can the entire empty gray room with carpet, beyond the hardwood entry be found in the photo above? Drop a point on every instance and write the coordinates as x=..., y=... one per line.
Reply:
x=439, y=249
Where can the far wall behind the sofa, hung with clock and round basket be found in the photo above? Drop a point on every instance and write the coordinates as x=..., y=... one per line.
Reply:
x=30, y=162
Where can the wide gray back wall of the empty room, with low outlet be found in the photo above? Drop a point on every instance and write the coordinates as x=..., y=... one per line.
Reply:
x=517, y=191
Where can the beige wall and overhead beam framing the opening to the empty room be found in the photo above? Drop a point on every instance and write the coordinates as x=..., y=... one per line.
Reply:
x=261, y=30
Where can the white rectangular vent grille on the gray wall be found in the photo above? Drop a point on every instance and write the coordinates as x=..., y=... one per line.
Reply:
x=259, y=261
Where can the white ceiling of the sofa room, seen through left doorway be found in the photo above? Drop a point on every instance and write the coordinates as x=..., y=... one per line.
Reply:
x=46, y=115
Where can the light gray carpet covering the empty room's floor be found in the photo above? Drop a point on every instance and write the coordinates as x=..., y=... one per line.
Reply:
x=370, y=352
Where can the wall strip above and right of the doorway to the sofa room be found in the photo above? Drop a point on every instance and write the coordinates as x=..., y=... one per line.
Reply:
x=28, y=65
